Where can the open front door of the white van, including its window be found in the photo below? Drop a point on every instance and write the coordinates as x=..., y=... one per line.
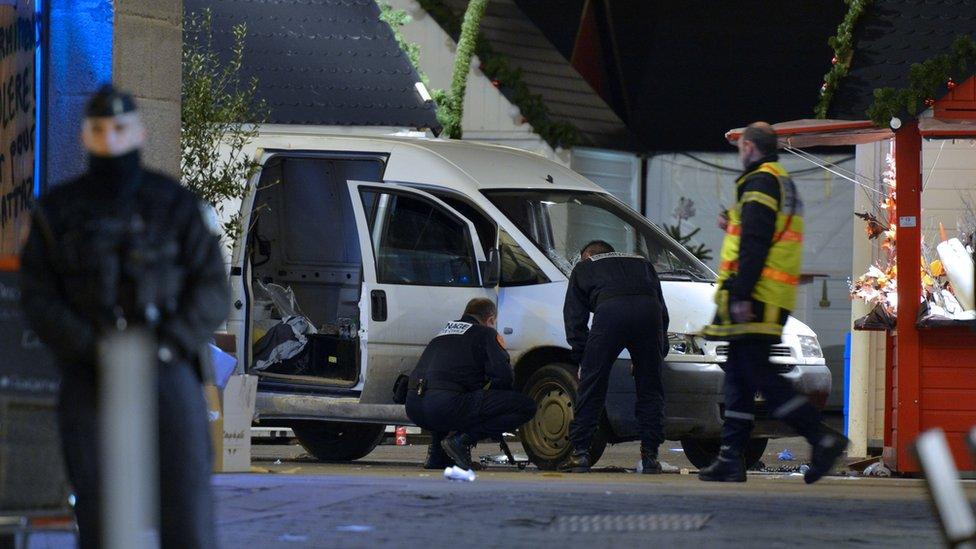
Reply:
x=422, y=263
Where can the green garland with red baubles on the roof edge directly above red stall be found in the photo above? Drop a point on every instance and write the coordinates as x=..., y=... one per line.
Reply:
x=926, y=81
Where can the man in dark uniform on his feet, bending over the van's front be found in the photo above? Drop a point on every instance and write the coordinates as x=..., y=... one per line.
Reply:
x=624, y=294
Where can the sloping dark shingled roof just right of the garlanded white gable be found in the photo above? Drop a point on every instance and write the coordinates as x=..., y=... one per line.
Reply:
x=547, y=73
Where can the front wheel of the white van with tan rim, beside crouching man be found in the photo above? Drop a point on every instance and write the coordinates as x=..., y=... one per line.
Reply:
x=545, y=438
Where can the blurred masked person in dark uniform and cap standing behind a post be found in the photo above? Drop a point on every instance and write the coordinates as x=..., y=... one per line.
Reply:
x=122, y=246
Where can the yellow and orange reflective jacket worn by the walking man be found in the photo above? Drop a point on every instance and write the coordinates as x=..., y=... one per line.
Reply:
x=774, y=294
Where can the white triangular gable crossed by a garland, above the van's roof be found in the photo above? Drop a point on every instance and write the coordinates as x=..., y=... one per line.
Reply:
x=488, y=115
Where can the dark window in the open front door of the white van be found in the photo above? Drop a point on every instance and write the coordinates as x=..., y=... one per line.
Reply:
x=417, y=242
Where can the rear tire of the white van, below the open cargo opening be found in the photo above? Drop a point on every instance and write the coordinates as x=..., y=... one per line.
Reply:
x=335, y=441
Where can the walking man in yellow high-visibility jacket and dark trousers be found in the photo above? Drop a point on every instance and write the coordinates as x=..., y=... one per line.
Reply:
x=758, y=273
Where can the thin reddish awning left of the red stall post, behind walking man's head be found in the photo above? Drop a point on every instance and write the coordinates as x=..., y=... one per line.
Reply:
x=813, y=133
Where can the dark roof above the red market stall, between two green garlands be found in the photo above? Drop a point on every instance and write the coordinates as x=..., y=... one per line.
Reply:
x=889, y=38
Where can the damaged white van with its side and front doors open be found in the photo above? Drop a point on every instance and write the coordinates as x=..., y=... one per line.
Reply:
x=392, y=236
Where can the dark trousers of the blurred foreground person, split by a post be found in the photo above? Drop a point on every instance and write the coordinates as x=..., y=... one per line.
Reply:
x=185, y=459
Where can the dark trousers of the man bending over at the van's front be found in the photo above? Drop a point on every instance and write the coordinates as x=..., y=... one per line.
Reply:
x=628, y=322
